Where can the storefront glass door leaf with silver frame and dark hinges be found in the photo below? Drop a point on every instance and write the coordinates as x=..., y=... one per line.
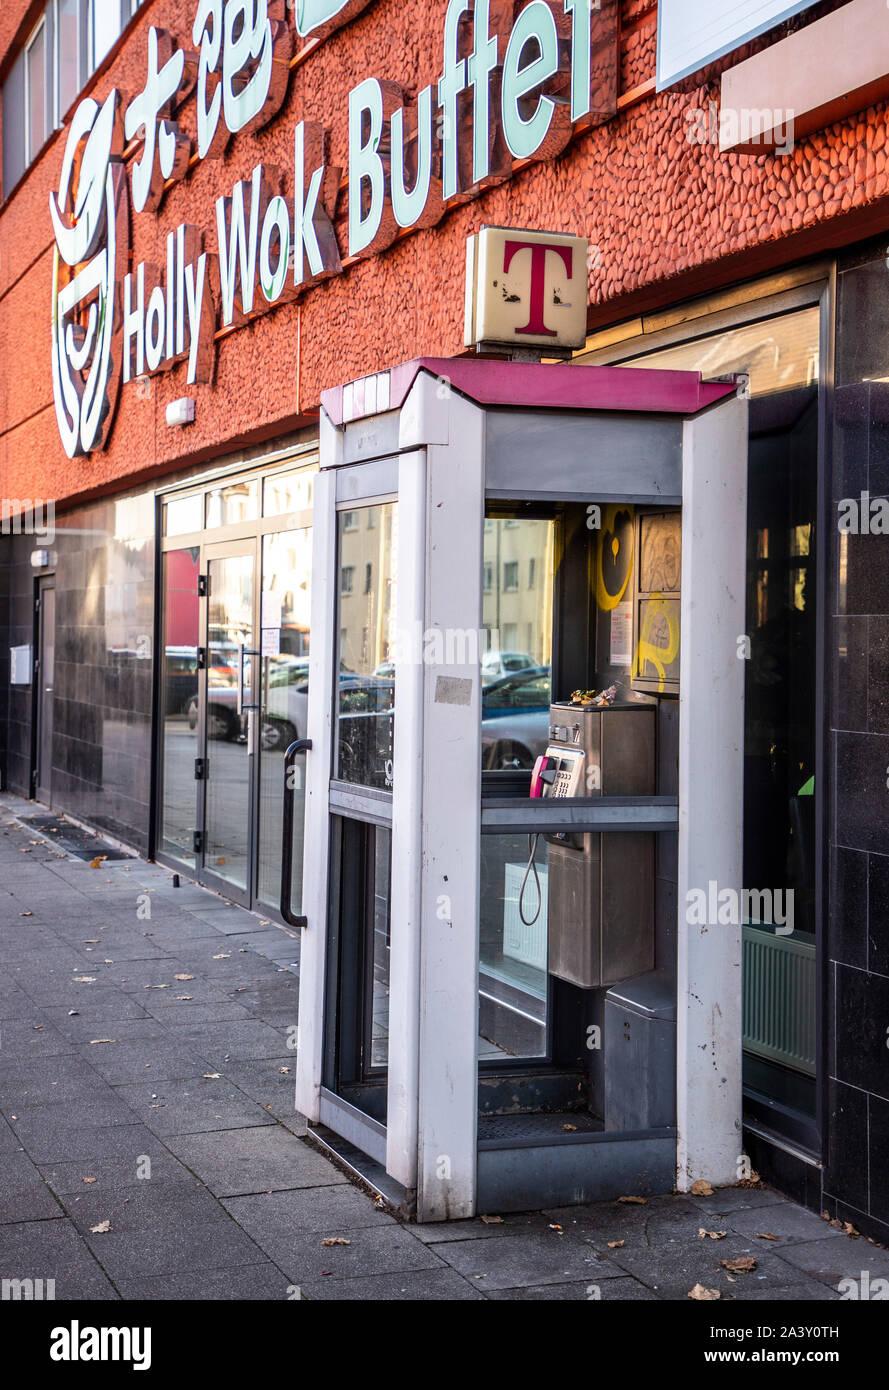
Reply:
x=230, y=719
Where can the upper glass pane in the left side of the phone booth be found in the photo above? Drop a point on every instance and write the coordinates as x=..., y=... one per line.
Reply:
x=367, y=543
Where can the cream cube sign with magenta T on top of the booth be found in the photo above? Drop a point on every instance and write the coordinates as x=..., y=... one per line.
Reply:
x=526, y=288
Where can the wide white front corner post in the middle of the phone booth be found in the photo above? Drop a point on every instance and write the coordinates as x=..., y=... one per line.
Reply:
x=452, y=819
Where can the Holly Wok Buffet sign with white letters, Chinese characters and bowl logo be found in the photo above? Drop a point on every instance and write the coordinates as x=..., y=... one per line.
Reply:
x=517, y=80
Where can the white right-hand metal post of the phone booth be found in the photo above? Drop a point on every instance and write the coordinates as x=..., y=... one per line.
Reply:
x=712, y=740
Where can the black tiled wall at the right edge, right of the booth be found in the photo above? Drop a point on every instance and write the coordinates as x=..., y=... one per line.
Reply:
x=856, y=1175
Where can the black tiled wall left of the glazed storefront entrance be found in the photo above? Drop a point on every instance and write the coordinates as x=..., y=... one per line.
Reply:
x=105, y=622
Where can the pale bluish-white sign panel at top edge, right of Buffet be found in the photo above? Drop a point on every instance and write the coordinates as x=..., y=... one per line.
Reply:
x=691, y=34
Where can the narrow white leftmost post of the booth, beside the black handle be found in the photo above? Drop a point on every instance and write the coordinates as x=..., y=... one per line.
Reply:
x=316, y=854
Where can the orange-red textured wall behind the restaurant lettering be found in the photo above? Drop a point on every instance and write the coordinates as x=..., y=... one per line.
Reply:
x=670, y=219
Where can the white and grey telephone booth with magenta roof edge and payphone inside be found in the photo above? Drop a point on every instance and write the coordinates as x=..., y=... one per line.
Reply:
x=526, y=715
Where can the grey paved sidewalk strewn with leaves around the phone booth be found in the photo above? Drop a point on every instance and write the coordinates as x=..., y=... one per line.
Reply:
x=149, y=1147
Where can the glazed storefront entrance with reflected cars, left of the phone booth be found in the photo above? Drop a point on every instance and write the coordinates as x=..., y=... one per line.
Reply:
x=237, y=579
